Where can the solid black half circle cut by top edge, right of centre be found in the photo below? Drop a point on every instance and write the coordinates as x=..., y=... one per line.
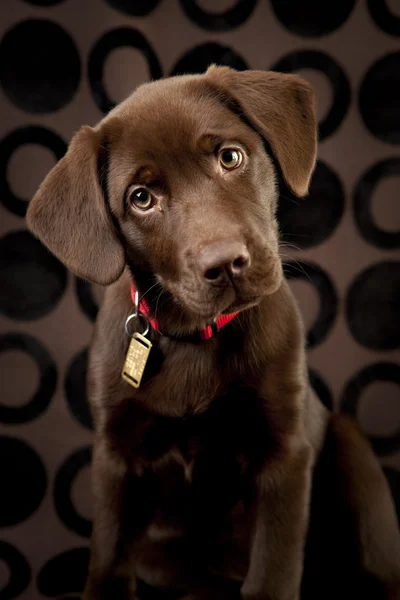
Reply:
x=310, y=18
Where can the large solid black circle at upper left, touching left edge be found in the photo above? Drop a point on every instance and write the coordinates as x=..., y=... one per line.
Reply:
x=40, y=68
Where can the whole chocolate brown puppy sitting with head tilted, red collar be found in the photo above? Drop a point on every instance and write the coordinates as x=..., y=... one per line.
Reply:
x=220, y=474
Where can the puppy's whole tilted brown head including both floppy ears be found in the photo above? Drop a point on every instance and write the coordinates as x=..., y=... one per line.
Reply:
x=178, y=182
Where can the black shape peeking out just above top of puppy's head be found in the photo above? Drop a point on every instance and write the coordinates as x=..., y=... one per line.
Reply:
x=198, y=59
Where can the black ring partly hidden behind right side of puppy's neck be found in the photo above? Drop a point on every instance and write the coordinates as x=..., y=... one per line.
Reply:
x=313, y=274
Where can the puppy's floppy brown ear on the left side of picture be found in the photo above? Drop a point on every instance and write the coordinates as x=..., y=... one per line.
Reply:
x=69, y=214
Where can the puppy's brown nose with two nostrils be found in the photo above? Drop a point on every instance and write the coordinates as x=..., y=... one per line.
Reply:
x=224, y=258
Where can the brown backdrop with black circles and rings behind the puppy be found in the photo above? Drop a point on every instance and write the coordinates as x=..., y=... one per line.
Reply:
x=62, y=66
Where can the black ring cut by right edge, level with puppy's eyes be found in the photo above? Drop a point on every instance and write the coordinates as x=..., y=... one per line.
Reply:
x=362, y=204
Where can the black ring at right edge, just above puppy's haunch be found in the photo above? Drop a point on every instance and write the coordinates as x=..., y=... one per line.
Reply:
x=383, y=371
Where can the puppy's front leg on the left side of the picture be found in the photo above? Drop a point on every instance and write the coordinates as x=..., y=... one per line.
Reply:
x=123, y=504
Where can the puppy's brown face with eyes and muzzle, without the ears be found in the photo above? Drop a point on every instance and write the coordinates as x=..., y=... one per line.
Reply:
x=194, y=194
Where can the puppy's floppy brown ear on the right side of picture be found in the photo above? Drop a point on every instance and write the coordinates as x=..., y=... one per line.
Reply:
x=282, y=109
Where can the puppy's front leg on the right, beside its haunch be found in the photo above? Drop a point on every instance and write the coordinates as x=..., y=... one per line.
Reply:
x=280, y=527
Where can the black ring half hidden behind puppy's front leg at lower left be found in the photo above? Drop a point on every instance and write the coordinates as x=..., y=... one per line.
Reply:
x=62, y=491
